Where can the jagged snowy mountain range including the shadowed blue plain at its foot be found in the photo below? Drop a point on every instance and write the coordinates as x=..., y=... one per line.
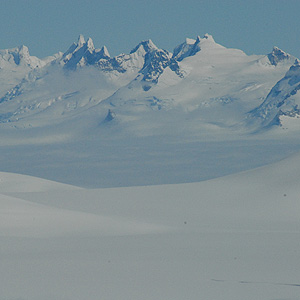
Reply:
x=148, y=117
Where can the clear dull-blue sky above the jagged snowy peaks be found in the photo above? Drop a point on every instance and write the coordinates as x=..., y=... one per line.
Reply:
x=47, y=27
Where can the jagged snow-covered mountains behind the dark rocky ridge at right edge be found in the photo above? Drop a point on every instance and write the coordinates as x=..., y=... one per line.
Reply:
x=213, y=86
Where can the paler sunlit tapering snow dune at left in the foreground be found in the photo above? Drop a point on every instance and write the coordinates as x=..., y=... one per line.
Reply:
x=21, y=218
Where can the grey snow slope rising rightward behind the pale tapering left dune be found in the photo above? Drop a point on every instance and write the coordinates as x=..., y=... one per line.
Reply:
x=265, y=198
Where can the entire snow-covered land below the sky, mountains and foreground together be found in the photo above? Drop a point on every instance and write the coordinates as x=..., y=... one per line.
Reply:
x=150, y=175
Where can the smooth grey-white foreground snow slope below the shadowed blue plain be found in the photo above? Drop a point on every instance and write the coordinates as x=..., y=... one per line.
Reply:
x=235, y=237
